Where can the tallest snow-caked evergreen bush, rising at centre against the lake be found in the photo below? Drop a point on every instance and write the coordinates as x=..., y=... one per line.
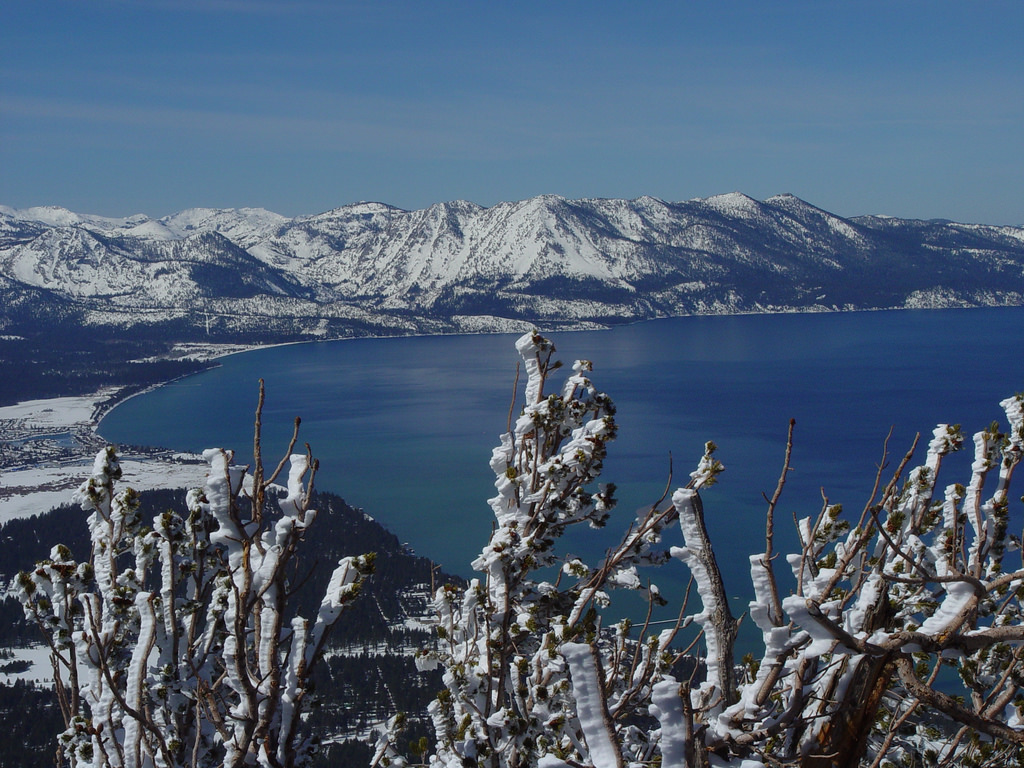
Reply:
x=518, y=648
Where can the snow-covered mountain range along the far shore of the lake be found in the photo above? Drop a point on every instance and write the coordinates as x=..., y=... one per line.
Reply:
x=460, y=267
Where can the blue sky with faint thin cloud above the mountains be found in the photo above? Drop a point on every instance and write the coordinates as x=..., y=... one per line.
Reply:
x=909, y=109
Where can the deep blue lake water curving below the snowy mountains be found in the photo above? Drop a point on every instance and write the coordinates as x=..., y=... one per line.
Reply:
x=404, y=428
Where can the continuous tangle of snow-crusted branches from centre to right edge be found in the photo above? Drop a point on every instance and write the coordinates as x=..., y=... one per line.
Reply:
x=854, y=639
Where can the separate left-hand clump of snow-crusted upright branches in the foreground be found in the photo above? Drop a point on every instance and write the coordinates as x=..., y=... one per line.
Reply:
x=172, y=644
